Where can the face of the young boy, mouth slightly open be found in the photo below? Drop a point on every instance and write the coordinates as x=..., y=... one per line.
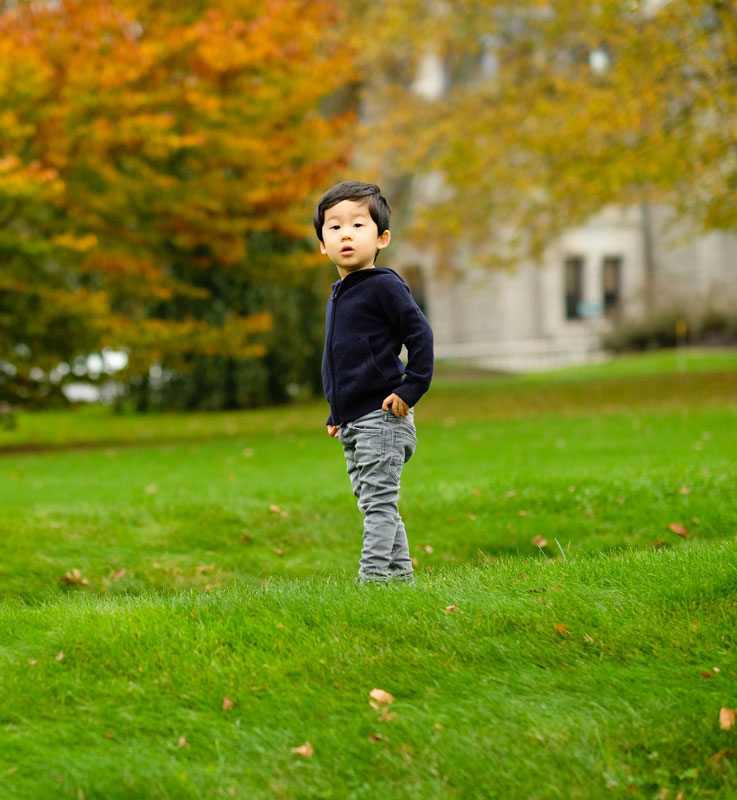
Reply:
x=350, y=237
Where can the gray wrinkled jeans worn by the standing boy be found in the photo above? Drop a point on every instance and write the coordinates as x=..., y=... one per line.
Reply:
x=376, y=447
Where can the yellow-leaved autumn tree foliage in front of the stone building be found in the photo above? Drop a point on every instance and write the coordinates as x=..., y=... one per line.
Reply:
x=544, y=112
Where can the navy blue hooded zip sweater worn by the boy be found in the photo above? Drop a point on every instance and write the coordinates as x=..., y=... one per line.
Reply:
x=370, y=315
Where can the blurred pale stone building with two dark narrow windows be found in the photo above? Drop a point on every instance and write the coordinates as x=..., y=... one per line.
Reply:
x=623, y=264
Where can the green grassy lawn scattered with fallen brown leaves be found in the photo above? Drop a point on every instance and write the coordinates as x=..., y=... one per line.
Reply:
x=591, y=652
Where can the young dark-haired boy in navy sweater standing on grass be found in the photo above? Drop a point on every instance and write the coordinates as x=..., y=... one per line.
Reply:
x=370, y=315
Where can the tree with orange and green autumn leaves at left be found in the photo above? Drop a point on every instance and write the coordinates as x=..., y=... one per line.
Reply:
x=157, y=166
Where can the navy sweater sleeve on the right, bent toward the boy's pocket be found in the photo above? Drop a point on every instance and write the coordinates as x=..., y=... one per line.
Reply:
x=417, y=337
